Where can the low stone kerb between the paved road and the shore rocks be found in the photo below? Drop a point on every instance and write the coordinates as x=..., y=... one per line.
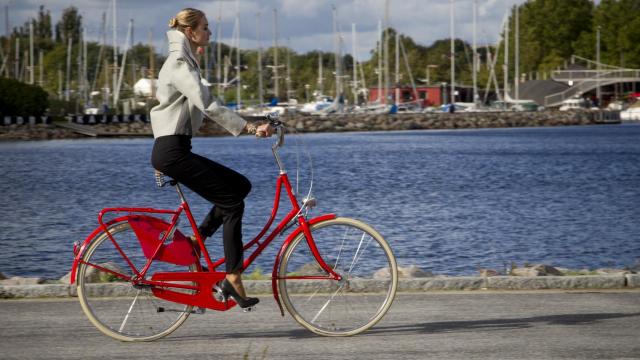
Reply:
x=588, y=282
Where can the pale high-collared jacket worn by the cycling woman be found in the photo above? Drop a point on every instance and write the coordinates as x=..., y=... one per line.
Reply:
x=183, y=98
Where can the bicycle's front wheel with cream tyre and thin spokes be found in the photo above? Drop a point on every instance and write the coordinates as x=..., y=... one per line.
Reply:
x=352, y=305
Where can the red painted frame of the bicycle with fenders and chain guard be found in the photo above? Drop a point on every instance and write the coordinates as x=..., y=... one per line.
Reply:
x=161, y=283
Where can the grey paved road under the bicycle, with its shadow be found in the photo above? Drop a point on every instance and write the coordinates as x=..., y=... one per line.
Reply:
x=432, y=325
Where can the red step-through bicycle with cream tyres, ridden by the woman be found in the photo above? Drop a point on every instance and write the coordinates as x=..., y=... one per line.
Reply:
x=323, y=273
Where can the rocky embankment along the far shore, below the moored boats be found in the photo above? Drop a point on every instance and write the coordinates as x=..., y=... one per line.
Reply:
x=336, y=123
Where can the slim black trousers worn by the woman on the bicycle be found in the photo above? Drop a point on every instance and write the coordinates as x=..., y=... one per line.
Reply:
x=223, y=187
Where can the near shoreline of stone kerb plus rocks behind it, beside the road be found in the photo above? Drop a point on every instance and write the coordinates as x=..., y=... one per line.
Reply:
x=411, y=279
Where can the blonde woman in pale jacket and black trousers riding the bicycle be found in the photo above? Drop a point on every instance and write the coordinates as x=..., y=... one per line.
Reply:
x=184, y=100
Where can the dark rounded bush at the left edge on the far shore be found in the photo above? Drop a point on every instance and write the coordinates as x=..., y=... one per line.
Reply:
x=20, y=99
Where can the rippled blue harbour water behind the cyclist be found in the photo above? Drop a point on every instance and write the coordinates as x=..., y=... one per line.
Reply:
x=450, y=202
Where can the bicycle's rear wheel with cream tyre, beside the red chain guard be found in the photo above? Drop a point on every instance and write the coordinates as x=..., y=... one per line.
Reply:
x=109, y=299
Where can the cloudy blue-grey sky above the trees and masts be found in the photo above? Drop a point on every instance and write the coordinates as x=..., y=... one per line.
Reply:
x=303, y=25
